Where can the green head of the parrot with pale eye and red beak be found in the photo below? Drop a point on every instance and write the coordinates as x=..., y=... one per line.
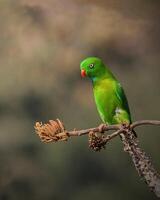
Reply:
x=92, y=67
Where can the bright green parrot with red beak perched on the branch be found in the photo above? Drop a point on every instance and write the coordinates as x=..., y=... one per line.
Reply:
x=110, y=98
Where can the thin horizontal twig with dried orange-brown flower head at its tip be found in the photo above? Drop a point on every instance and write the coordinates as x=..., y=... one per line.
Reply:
x=54, y=131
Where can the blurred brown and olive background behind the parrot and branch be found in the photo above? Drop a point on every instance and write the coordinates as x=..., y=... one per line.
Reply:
x=41, y=46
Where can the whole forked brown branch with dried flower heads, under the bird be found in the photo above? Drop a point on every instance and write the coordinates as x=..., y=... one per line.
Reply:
x=55, y=131
